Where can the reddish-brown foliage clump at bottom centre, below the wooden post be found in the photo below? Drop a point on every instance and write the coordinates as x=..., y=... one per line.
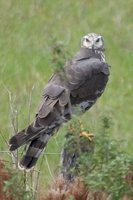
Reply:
x=77, y=190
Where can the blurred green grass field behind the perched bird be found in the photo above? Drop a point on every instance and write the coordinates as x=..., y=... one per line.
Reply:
x=26, y=32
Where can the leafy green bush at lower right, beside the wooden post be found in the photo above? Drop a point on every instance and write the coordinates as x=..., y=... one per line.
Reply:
x=108, y=166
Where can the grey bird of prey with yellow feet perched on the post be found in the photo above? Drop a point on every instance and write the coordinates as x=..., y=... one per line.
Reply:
x=80, y=82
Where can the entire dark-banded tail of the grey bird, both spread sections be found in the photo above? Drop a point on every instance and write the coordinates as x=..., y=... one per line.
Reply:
x=38, y=137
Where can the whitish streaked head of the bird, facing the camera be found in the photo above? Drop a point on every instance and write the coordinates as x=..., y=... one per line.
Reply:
x=93, y=41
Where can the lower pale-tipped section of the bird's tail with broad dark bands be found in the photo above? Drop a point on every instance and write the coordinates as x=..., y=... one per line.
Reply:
x=33, y=152
